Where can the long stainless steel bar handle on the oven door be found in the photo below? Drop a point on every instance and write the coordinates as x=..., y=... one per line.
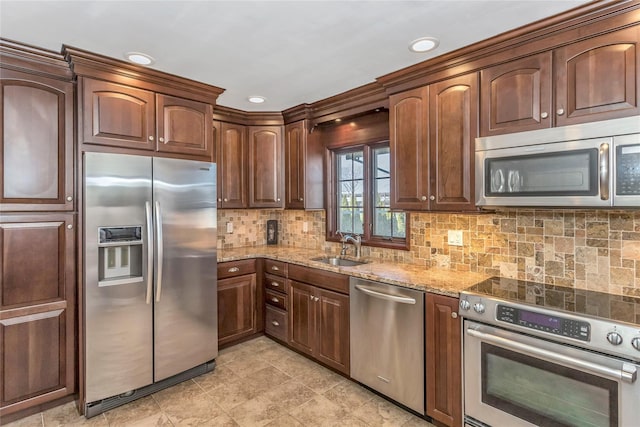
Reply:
x=628, y=373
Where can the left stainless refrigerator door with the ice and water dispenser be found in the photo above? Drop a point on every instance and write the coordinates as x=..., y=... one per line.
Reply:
x=118, y=320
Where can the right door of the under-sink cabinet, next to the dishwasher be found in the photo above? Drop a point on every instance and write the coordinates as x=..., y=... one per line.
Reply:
x=332, y=329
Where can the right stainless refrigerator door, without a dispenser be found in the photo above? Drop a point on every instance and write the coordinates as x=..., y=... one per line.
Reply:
x=186, y=327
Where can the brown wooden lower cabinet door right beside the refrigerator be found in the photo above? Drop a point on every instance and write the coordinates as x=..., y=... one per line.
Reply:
x=236, y=308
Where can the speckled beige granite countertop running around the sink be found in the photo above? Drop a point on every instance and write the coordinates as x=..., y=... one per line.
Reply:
x=434, y=280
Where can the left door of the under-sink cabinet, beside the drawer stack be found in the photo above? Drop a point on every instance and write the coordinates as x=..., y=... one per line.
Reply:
x=301, y=317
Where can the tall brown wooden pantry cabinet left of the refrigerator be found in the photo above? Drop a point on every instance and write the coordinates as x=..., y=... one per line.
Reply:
x=37, y=228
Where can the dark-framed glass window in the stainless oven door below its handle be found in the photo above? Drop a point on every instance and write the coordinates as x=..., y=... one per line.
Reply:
x=544, y=393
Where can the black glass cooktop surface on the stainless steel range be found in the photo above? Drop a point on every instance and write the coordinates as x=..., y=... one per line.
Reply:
x=576, y=301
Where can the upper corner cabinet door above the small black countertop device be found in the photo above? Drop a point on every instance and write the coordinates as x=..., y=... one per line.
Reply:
x=265, y=167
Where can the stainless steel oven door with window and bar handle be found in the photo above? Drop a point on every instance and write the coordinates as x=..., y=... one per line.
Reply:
x=511, y=379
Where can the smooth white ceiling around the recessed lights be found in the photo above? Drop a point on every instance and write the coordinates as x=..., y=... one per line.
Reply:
x=290, y=52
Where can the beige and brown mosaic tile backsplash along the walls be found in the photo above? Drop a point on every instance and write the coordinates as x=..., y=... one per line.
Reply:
x=587, y=249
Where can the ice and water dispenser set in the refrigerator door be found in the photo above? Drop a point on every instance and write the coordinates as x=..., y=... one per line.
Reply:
x=119, y=255
